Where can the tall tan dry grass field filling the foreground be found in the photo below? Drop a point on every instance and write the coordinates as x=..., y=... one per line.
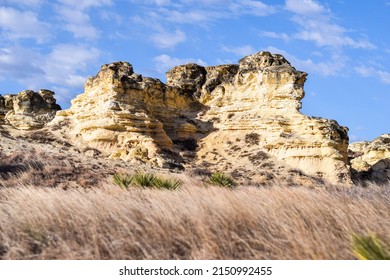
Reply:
x=196, y=222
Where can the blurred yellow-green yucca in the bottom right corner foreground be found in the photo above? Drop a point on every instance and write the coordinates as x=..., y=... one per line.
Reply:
x=369, y=247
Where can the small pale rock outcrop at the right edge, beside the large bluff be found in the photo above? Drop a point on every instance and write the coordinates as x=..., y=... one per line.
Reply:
x=371, y=160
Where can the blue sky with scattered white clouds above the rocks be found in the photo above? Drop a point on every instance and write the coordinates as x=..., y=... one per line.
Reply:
x=343, y=45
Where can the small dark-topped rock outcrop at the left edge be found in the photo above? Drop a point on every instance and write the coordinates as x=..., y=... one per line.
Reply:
x=28, y=109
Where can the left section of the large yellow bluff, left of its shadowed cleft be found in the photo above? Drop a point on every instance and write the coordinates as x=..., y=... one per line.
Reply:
x=124, y=115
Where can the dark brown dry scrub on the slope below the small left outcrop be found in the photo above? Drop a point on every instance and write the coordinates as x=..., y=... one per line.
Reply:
x=39, y=168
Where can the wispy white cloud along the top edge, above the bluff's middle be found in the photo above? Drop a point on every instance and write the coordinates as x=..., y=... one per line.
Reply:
x=170, y=15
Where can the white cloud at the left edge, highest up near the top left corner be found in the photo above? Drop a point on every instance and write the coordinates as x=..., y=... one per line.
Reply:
x=16, y=24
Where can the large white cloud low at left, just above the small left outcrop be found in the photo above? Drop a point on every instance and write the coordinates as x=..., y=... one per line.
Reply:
x=64, y=67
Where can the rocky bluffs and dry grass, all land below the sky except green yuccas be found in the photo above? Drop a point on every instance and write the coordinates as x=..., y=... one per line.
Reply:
x=301, y=190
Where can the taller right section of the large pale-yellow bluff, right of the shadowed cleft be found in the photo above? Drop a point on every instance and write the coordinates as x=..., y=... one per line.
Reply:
x=264, y=97
